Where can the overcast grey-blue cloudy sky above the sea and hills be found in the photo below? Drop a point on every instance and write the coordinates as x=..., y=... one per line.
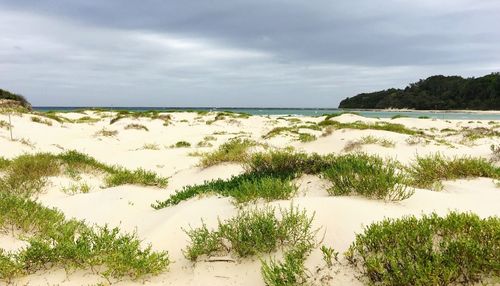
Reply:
x=257, y=53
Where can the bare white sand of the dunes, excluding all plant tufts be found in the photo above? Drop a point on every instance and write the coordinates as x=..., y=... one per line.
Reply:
x=129, y=206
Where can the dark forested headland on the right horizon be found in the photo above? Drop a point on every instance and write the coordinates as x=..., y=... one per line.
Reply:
x=435, y=92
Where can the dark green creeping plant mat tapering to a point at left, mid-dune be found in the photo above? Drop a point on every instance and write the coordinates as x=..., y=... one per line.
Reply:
x=243, y=188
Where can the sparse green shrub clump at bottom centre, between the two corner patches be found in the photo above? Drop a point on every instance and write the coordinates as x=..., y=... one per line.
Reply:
x=260, y=231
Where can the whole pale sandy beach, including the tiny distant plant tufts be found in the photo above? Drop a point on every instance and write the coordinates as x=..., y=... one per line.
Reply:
x=173, y=145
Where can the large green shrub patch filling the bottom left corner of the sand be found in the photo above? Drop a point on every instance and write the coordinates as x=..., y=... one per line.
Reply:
x=54, y=241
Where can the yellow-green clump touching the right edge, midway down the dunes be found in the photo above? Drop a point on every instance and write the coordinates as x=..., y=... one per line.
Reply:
x=427, y=172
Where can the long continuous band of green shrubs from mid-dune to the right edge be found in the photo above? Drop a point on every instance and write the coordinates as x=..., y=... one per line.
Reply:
x=350, y=174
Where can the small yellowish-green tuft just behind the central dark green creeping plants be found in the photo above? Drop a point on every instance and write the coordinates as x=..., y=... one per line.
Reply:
x=235, y=150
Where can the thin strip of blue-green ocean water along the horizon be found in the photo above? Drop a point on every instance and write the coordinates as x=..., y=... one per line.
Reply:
x=303, y=111
